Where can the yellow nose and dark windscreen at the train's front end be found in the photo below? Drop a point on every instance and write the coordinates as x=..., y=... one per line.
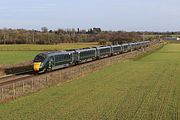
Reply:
x=39, y=63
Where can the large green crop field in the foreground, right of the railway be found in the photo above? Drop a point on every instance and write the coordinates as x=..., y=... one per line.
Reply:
x=147, y=88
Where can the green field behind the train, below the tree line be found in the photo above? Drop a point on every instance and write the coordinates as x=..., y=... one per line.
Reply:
x=12, y=54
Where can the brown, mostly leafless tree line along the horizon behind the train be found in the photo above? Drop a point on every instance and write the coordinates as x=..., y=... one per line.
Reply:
x=45, y=36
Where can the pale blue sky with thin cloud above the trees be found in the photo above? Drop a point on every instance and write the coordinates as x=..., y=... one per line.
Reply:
x=127, y=15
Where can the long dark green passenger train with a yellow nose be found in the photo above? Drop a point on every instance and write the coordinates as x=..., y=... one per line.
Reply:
x=49, y=61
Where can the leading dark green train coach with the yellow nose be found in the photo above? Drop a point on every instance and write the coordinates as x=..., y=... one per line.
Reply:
x=53, y=60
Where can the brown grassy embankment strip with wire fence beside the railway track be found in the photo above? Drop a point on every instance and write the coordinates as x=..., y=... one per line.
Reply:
x=20, y=88
